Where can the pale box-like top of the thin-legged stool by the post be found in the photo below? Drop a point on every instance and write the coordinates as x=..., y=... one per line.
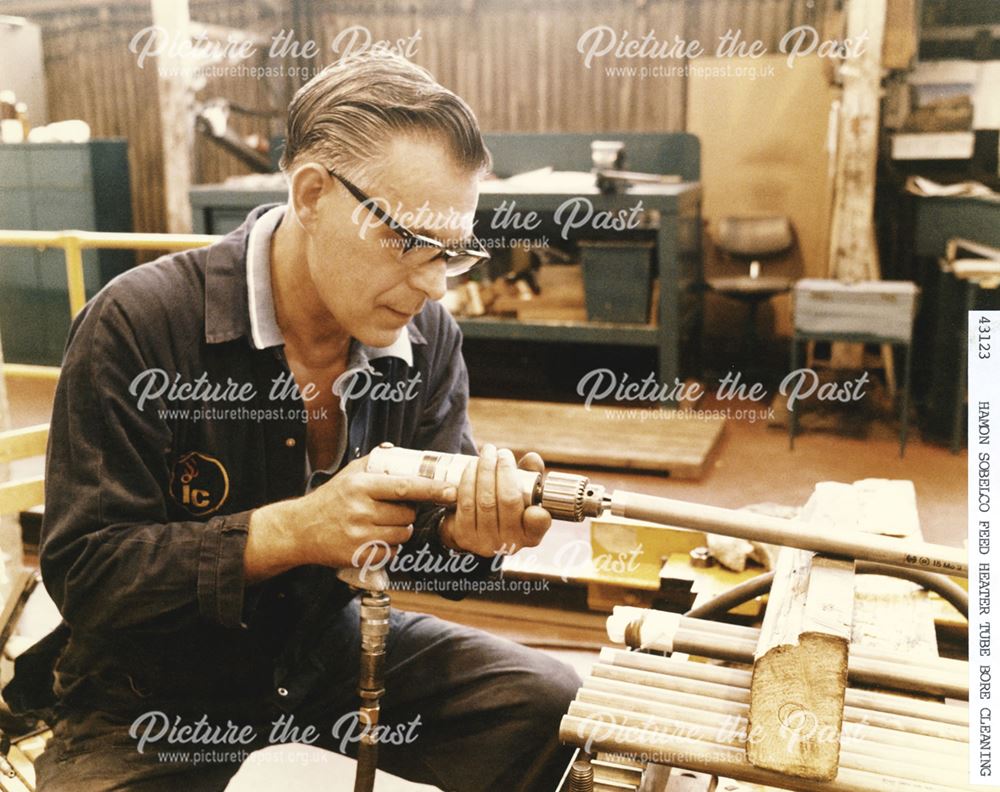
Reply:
x=877, y=308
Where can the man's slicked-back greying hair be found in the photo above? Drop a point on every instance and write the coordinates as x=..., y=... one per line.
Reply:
x=345, y=116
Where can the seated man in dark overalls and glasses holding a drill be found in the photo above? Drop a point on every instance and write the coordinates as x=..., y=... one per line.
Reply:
x=195, y=521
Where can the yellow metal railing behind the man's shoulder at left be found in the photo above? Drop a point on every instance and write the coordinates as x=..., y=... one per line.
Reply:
x=73, y=243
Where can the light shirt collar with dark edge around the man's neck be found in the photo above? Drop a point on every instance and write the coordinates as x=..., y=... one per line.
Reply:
x=264, y=331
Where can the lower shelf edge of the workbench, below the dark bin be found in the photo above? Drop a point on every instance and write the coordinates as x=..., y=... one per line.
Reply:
x=587, y=332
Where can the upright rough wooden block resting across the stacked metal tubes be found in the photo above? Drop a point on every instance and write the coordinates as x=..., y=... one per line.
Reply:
x=800, y=667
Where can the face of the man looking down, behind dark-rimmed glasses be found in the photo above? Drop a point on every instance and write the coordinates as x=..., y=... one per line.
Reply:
x=354, y=260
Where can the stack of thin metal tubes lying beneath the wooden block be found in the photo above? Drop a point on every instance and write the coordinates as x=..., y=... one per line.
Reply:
x=694, y=715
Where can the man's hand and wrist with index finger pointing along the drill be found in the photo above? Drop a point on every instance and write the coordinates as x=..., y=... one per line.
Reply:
x=354, y=511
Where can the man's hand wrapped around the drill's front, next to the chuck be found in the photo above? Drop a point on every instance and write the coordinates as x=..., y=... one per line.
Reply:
x=490, y=516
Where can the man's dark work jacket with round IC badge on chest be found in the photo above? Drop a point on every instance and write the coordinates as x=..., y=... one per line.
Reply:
x=172, y=422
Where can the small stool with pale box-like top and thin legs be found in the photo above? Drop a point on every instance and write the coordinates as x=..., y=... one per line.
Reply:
x=867, y=312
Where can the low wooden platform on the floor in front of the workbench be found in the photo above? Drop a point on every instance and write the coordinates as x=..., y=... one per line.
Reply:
x=657, y=440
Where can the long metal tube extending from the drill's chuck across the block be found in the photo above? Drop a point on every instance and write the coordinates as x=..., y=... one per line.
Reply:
x=790, y=533
